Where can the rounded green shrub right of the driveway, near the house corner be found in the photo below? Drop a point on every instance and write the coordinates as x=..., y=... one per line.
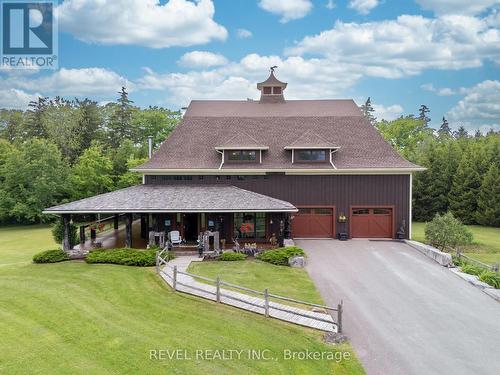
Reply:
x=445, y=230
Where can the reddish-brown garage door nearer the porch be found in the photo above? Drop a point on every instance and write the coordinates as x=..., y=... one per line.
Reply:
x=313, y=222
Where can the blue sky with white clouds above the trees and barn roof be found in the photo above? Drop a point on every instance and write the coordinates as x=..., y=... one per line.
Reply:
x=401, y=53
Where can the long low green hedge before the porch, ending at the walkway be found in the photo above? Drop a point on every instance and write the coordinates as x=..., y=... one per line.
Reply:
x=125, y=256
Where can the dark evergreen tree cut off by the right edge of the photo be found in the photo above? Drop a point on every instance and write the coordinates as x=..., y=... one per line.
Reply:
x=488, y=200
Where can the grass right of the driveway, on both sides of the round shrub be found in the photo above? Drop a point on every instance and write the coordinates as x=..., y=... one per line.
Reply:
x=486, y=245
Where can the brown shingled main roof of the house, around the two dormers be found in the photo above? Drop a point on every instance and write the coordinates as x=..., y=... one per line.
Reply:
x=207, y=124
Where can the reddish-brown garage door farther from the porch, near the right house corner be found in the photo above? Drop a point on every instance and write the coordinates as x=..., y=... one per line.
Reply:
x=371, y=222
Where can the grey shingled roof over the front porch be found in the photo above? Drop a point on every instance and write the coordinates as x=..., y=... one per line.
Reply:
x=175, y=198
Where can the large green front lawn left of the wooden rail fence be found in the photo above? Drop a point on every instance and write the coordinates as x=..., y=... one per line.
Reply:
x=74, y=317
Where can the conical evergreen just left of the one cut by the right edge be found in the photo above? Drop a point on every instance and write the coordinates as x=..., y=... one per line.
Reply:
x=465, y=188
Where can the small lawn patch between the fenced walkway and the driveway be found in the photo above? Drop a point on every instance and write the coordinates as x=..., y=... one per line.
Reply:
x=258, y=275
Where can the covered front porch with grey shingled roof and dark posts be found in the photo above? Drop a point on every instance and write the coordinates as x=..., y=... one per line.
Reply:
x=142, y=211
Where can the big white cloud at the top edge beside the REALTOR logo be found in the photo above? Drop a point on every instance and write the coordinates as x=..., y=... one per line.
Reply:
x=146, y=23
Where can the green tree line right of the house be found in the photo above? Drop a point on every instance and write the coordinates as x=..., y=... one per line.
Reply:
x=462, y=173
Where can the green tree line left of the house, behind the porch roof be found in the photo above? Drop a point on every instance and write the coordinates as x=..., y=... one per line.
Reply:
x=59, y=150
